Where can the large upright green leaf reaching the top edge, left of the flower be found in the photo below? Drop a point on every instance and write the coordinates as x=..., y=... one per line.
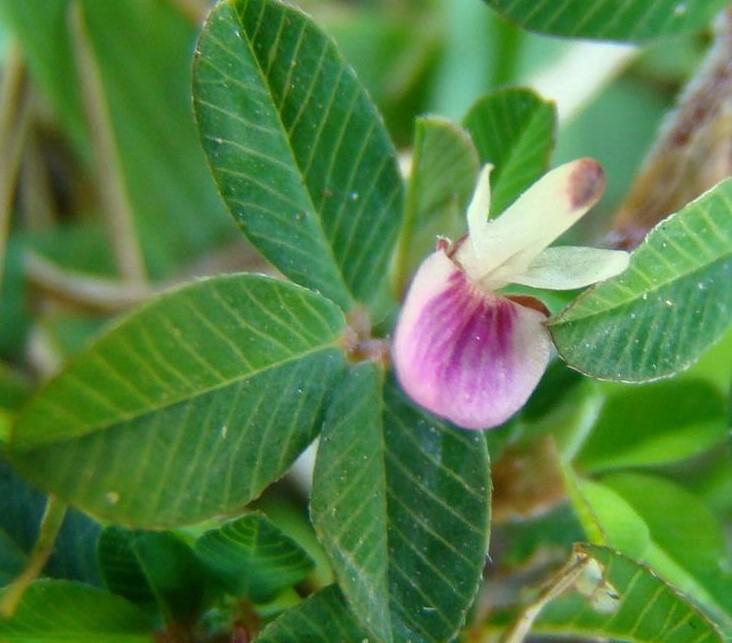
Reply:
x=298, y=150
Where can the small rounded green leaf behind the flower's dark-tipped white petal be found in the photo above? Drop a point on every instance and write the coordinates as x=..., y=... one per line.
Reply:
x=514, y=129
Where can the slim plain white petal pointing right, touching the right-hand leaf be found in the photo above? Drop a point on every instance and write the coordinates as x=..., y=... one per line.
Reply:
x=569, y=267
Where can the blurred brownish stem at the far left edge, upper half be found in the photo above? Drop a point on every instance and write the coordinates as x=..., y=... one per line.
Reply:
x=13, y=127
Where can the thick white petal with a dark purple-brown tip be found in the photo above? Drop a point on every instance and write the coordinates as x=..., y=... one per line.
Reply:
x=509, y=244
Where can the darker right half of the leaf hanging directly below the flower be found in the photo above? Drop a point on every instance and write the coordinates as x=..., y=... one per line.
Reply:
x=438, y=484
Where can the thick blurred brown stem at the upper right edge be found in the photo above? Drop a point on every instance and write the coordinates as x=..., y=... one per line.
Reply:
x=693, y=151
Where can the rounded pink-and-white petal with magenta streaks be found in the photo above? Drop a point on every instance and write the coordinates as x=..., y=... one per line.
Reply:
x=466, y=354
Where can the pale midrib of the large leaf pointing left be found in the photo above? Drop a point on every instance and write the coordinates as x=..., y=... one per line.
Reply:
x=122, y=418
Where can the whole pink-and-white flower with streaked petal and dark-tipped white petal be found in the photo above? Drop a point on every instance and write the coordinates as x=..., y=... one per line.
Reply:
x=466, y=352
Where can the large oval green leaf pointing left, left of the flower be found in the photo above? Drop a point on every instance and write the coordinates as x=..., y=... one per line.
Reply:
x=189, y=407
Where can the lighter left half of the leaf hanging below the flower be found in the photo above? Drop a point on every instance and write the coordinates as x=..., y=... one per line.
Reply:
x=348, y=502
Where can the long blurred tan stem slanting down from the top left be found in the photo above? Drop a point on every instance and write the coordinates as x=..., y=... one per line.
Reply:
x=112, y=189
